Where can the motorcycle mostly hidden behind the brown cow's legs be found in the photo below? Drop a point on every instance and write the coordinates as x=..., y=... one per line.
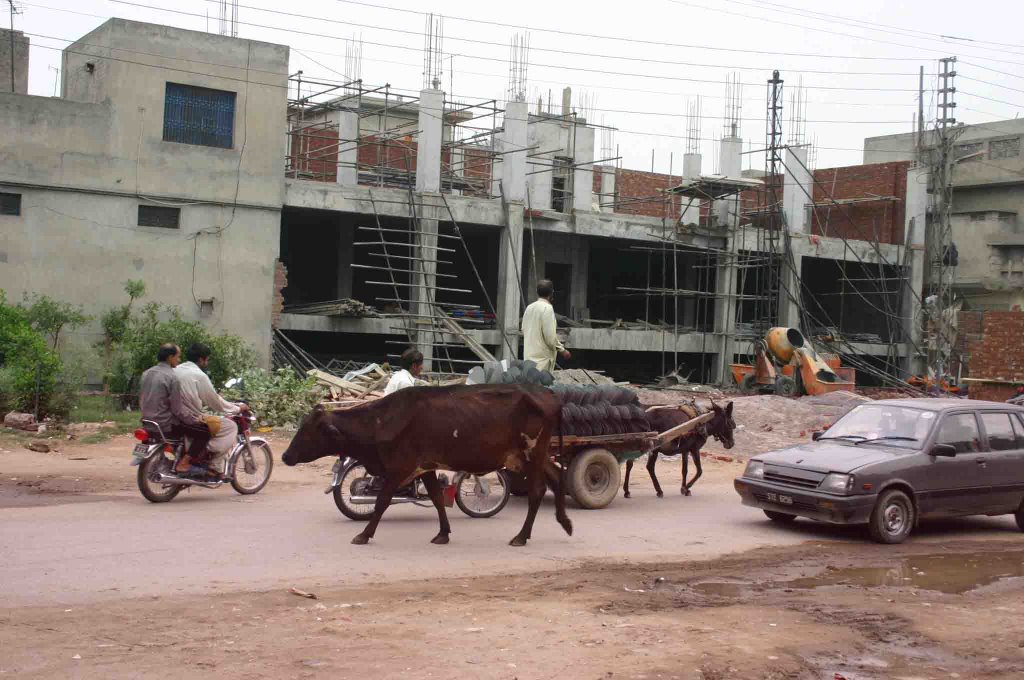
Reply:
x=356, y=492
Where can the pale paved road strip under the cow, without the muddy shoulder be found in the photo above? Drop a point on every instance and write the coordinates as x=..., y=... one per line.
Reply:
x=120, y=546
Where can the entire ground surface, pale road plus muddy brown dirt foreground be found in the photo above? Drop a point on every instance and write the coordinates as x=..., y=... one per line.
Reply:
x=97, y=583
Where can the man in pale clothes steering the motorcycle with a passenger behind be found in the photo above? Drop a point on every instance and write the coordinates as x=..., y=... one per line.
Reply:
x=196, y=393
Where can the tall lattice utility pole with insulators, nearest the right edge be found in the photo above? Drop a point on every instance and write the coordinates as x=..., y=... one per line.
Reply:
x=943, y=253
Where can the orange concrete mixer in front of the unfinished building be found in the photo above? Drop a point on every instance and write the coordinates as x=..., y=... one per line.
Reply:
x=785, y=363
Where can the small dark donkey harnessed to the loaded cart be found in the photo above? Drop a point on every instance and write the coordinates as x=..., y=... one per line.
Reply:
x=720, y=428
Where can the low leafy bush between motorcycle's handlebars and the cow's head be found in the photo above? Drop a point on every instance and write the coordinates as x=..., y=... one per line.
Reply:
x=281, y=398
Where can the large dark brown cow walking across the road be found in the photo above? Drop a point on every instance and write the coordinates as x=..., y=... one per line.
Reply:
x=414, y=433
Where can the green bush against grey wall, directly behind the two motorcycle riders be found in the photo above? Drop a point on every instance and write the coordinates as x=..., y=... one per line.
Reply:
x=146, y=331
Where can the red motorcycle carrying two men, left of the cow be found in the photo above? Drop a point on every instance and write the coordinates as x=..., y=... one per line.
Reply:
x=247, y=469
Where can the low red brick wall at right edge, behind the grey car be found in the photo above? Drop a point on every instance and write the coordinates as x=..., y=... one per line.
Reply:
x=998, y=356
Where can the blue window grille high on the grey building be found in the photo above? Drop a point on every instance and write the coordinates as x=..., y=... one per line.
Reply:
x=199, y=116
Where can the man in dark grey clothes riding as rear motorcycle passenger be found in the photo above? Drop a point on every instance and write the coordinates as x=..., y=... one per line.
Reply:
x=159, y=397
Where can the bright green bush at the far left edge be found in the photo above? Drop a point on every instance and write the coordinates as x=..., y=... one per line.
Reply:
x=28, y=366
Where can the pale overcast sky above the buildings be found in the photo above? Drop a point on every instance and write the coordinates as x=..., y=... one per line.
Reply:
x=641, y=65
